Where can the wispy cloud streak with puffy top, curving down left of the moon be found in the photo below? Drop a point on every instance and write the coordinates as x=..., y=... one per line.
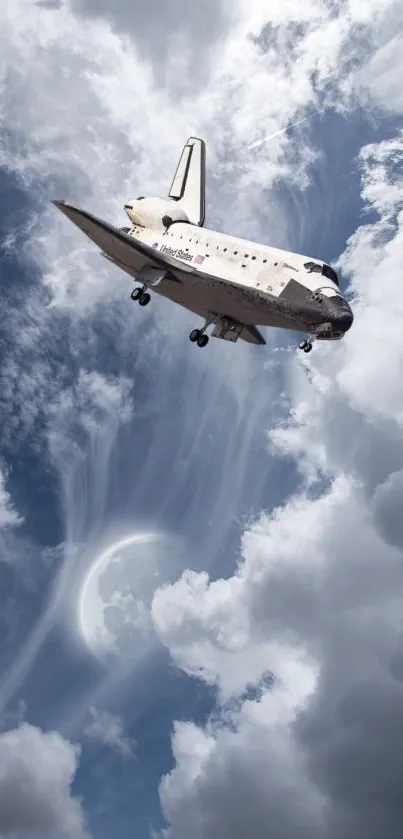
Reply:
x=83, y=421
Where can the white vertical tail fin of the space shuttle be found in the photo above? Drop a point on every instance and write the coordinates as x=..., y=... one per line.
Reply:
x=189, y=184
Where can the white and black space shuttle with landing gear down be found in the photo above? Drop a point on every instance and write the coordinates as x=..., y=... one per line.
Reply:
x=232, y=285
